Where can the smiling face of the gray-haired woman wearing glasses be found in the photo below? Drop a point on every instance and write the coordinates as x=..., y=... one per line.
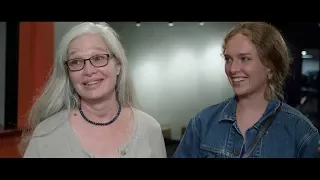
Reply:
x=92, y=83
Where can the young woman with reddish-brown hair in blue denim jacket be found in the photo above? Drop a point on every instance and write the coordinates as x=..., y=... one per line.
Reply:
x=255, y=122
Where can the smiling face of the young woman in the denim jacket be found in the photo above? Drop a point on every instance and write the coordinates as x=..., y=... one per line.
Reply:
x=246, y=73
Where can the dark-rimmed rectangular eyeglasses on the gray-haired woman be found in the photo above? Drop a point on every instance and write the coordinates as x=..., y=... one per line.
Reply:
x=96, y=61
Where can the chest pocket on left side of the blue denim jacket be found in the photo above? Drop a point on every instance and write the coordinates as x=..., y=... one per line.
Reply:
x=211, y=152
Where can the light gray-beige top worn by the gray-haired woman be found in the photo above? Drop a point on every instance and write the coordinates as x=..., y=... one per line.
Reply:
x=54, y=138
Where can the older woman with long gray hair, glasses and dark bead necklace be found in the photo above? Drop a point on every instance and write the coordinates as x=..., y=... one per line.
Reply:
x=86, y=108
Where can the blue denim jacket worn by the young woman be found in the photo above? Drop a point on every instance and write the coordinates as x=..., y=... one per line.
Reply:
x=213, y=133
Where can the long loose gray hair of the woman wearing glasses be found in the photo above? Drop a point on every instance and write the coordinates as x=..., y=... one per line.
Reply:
x=58, y=93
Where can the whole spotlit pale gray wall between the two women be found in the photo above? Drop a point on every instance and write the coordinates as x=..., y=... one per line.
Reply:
x=177, y=72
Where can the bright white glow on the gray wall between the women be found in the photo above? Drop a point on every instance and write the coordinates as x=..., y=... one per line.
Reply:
x=173, y=89
